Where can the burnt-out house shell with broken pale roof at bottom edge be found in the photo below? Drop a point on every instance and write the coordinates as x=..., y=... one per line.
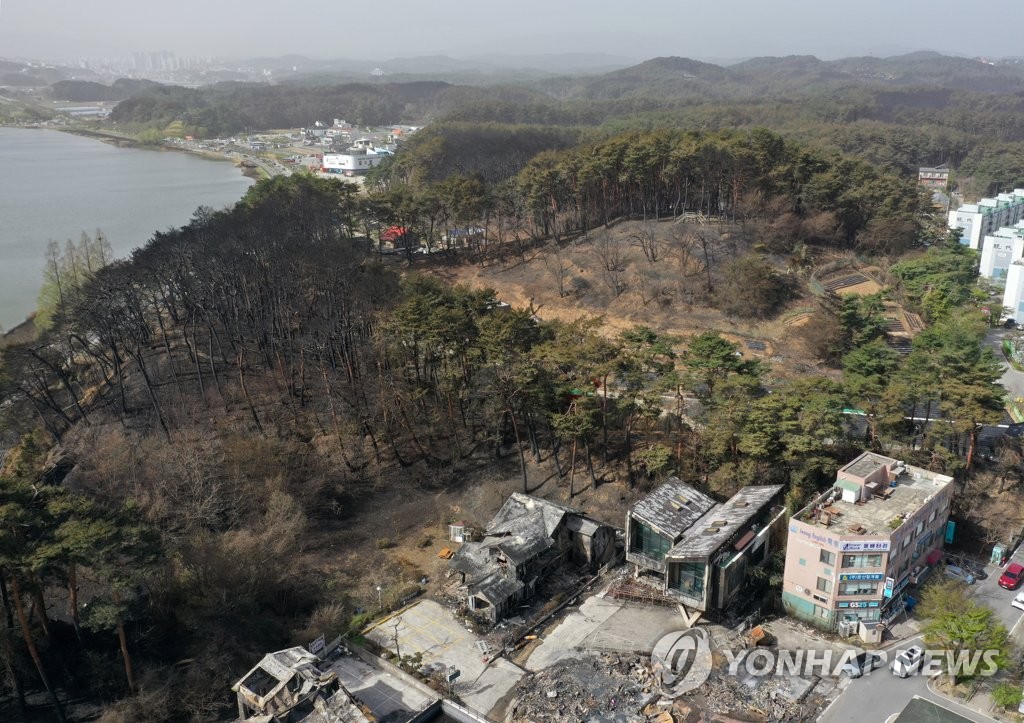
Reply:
x=288, y=688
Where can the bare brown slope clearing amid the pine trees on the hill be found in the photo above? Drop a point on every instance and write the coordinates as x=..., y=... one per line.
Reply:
x=668, y=295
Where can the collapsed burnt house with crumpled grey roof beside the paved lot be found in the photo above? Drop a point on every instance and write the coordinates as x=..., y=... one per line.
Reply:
x=527, y=540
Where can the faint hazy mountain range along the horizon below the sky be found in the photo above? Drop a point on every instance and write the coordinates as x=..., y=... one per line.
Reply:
x=605, y=77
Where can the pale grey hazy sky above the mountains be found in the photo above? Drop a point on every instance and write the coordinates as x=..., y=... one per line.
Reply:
x=710, y=29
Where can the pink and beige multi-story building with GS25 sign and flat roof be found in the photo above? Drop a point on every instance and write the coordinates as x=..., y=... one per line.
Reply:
x=851, y=552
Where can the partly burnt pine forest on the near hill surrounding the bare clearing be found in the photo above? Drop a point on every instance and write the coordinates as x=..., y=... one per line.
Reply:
x=239, y=397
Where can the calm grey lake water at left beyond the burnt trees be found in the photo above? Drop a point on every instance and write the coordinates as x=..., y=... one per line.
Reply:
x=56, y=186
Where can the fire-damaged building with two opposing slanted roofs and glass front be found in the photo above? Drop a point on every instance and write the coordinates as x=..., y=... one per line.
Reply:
x=699, y=550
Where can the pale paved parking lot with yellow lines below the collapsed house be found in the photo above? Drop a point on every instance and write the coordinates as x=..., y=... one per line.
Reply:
x=430, y=629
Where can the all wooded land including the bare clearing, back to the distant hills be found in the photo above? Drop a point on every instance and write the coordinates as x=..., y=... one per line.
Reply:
x=211, y=441
